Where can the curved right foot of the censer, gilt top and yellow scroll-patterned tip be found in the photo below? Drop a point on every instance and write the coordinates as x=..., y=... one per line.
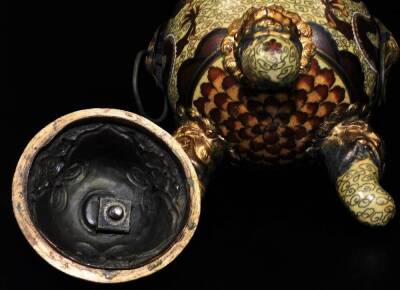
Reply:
x=353, y=154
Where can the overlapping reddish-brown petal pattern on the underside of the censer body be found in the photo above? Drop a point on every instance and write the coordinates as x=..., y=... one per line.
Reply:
x=270, y=128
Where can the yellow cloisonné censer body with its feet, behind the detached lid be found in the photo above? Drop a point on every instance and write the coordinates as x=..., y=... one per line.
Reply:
x=279, y=82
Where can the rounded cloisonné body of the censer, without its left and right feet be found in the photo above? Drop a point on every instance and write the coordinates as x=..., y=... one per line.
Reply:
x=277, y=125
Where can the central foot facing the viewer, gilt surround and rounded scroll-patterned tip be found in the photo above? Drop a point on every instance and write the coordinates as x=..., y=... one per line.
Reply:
x=268, y=48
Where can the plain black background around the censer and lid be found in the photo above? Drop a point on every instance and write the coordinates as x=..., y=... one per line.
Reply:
x=269, y=230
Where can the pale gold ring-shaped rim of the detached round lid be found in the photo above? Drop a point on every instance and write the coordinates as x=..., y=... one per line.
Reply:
x=62, y=263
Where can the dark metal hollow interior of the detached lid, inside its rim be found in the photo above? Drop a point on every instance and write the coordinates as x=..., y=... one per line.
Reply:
x=92, y=162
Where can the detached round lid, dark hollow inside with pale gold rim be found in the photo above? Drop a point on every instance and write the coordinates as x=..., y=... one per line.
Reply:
x=106, y=195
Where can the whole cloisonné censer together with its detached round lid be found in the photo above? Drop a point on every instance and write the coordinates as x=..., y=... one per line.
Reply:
x=108, y=196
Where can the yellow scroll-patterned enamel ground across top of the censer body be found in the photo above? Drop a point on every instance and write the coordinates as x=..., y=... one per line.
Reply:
x=220, y=14
